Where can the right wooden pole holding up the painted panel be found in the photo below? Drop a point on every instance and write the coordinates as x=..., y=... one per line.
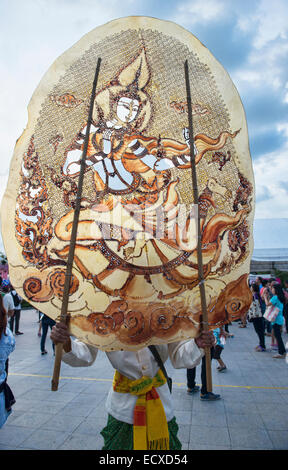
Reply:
x=204, y=322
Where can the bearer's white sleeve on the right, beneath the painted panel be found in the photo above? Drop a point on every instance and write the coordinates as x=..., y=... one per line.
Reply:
x=185, y=354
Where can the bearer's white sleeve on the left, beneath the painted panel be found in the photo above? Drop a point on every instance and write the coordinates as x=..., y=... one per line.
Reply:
x=81, y=355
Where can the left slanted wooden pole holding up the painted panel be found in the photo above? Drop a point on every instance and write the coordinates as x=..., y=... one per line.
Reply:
x=64, y=317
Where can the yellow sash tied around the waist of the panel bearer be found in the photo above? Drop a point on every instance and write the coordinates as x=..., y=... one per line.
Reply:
x=150, y=429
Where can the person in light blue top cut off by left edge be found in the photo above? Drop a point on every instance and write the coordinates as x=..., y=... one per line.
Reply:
x=7, y=345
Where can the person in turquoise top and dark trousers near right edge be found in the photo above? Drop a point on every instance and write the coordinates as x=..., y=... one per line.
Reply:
x=278, y=300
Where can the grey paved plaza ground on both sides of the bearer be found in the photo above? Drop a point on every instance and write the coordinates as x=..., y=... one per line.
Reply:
x=252, y=413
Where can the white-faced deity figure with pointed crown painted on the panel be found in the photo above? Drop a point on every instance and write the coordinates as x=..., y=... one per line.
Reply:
x=134, y=186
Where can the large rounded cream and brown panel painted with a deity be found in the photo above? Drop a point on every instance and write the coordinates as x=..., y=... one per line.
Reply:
x=135, y=274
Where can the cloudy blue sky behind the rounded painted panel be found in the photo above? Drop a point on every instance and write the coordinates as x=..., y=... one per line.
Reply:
x=248, y=37
